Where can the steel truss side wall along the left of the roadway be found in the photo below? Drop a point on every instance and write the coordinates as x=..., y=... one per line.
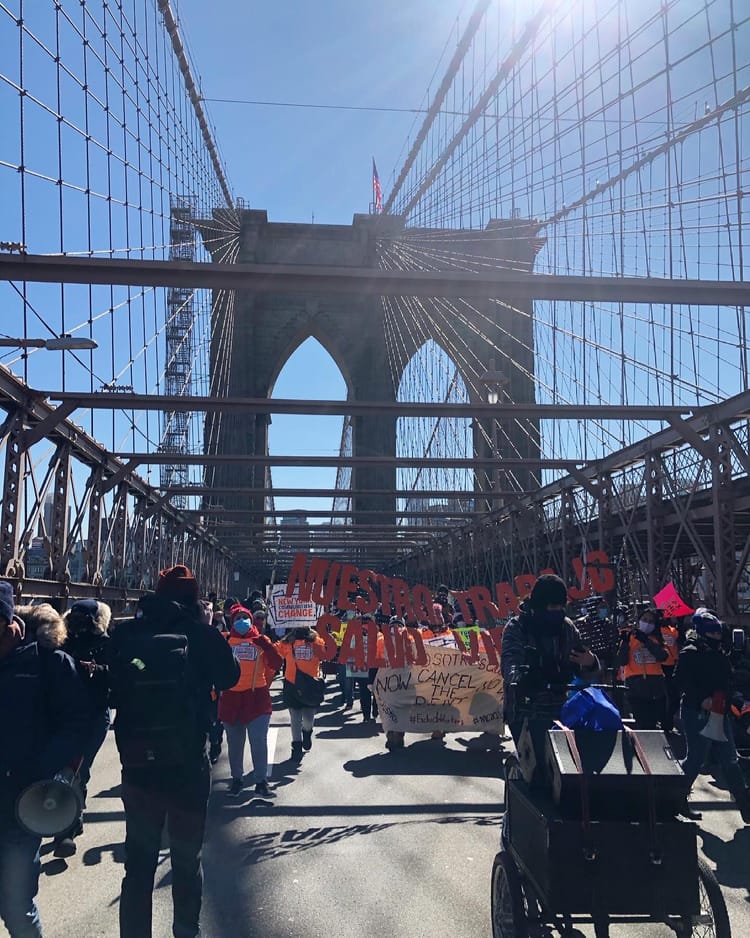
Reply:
x=116, y=562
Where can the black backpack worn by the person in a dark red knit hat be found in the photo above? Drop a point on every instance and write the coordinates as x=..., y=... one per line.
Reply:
x=156, y=698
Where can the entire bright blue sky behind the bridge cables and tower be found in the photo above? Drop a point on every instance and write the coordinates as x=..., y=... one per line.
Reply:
x=298, y=163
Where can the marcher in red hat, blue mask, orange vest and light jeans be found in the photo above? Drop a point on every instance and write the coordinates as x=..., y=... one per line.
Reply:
x=245, y=709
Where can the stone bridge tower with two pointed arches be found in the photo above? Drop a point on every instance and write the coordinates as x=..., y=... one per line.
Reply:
x=267, y=328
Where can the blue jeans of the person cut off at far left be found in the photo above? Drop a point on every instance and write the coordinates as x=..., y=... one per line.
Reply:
x=19, y=882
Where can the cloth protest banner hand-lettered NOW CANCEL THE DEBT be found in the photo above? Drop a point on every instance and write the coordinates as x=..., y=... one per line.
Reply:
x=447, y=693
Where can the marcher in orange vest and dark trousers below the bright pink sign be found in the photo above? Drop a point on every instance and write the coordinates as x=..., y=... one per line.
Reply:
x=641, y=653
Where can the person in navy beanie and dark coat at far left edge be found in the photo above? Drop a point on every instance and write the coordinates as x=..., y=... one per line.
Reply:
x=46, y=720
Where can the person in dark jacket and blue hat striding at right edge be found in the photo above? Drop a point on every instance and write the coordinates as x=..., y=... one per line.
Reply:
x=704, y=679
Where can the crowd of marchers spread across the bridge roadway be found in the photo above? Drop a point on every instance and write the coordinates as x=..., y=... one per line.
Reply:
x=184, y=673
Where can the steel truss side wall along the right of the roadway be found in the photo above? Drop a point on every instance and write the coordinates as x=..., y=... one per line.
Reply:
x=673, y=506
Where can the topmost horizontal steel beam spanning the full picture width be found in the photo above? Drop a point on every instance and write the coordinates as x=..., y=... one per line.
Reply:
x=505, y=285
